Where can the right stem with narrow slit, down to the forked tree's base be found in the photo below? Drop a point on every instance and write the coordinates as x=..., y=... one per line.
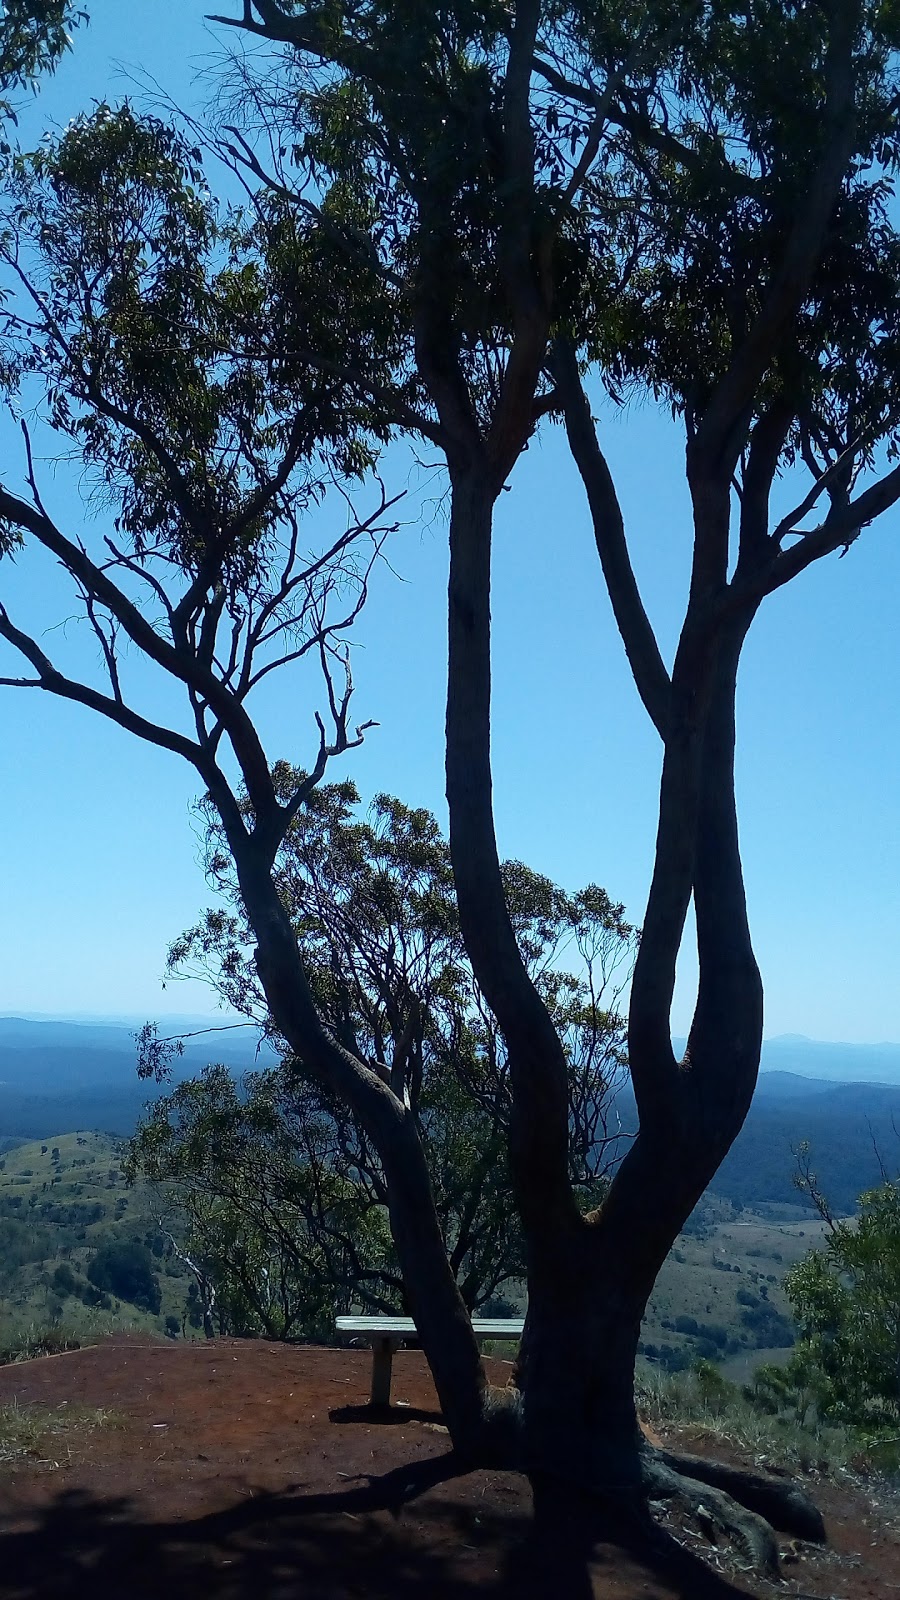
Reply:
x=589, y=1295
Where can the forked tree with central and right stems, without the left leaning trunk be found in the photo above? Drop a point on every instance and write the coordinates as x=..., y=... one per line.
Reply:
x=691, y=204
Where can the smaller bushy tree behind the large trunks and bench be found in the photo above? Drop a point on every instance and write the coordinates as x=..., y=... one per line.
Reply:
x=279, y=1188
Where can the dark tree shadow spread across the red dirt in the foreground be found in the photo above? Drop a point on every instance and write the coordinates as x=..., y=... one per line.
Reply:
x=353, y=1543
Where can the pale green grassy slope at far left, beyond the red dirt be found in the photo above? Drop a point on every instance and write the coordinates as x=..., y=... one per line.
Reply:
x=62, y=1209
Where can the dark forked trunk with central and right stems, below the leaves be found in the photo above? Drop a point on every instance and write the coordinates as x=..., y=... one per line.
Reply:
x=590, y=1279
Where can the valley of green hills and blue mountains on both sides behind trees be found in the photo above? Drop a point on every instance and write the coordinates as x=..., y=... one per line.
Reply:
x=65, y=1201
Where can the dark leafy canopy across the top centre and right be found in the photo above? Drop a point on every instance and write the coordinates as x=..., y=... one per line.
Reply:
x=656, y=194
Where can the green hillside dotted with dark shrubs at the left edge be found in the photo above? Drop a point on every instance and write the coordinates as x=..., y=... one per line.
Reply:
x=63, y=1206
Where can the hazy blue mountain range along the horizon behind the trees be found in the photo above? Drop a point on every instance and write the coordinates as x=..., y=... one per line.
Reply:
x=843, y=1100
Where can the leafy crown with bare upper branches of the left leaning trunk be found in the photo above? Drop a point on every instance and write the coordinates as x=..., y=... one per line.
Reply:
x=132, y=332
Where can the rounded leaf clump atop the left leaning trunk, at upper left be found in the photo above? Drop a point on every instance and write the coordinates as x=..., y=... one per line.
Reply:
x=147, y=305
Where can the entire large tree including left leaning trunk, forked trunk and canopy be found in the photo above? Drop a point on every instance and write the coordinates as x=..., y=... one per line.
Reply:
x=497, y=202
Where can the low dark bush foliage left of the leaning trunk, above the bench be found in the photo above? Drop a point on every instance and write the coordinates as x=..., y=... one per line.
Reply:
x=275, y=1226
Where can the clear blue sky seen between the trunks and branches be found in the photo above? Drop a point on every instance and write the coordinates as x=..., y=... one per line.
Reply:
x=100, y=852
